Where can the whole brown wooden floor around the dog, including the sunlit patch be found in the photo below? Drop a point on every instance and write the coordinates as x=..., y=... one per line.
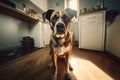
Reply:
x=88, y=65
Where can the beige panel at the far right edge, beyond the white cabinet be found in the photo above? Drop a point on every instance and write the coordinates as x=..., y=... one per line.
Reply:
x=113, y=37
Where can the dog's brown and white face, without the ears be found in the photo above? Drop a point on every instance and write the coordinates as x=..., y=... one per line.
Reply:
x=59, y=22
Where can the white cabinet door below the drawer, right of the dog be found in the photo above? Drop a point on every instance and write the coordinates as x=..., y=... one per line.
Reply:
x=91, y=36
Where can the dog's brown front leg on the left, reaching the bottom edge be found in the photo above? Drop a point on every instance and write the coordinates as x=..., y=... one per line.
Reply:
x=54, y=76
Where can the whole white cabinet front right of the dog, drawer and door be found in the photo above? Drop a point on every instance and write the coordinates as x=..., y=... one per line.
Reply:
x=92, y=31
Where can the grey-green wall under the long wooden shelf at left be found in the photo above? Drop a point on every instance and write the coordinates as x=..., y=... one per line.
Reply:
x=11, y=31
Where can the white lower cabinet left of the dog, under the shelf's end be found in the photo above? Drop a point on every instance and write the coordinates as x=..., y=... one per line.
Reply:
x=41, y=34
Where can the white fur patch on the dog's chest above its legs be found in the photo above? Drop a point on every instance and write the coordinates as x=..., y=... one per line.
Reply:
x=61, y=50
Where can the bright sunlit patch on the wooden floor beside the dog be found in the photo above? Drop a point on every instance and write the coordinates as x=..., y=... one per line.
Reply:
x=86, y=70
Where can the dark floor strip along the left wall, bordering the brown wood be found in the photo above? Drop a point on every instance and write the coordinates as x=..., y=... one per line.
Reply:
x=11, y=54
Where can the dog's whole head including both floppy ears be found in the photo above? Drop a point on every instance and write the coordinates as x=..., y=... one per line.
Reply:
x=59, y=20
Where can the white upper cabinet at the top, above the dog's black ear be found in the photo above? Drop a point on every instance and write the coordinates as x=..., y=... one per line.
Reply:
x=42, y=4
